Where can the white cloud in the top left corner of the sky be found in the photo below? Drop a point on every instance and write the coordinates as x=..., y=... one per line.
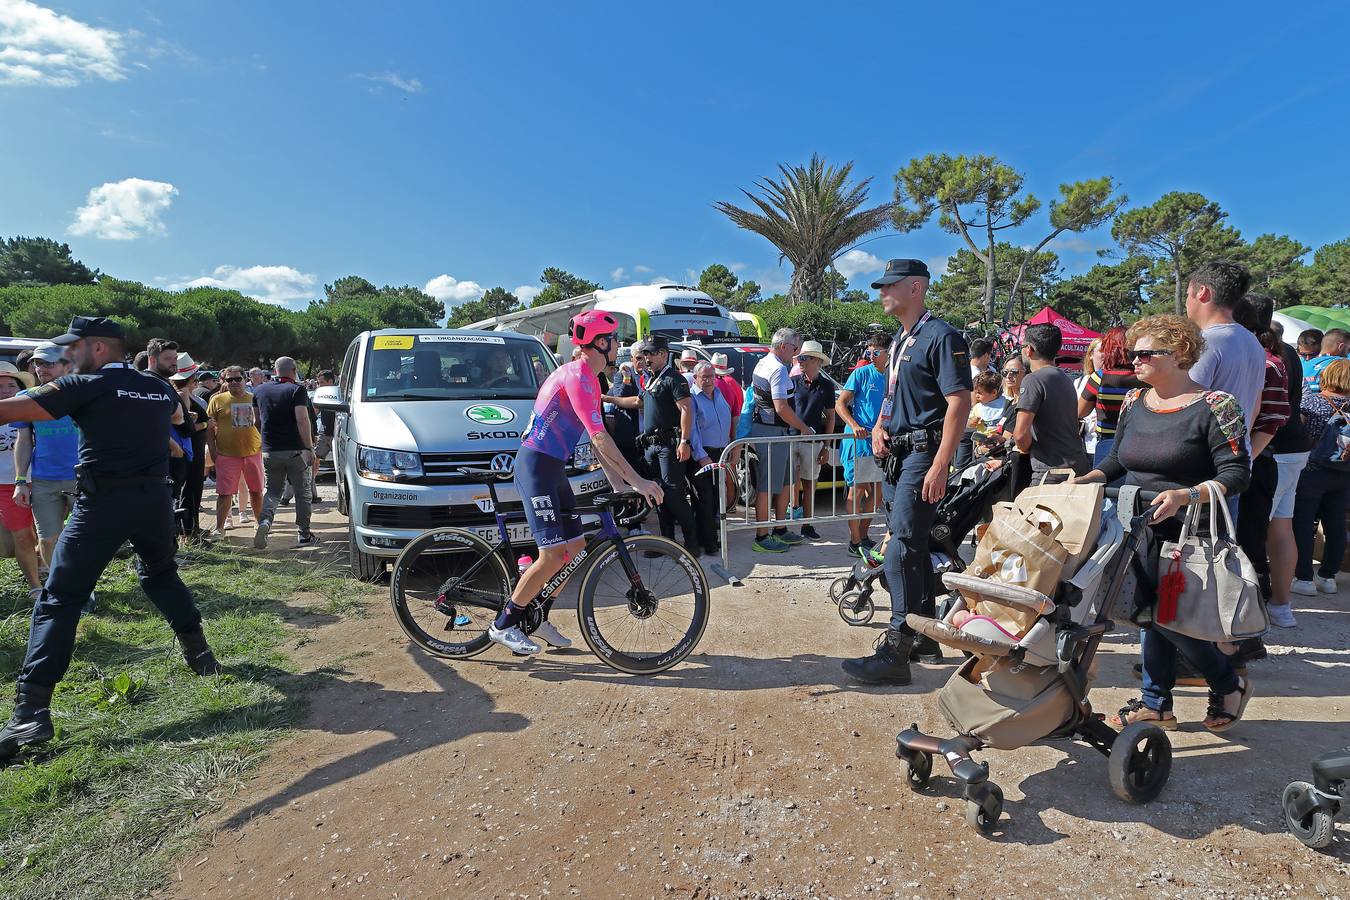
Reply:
x=40, y=47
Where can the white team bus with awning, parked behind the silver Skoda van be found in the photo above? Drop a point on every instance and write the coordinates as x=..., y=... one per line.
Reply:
x=677, y=311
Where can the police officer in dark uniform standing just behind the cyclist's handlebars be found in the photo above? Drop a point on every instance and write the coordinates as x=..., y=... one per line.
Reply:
x=666, y=441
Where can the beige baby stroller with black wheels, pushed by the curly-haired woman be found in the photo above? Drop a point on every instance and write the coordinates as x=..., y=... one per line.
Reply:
x=1016, y=692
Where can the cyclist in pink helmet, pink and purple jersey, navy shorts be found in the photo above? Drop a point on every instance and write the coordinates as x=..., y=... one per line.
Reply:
x=569, y=405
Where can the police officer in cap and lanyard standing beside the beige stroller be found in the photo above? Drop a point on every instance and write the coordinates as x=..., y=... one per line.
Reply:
x=920, y=428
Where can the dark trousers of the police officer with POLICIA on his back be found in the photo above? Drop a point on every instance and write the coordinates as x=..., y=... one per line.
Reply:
x=141, y=513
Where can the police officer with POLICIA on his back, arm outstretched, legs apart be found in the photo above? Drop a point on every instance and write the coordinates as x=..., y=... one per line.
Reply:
x=124, y=496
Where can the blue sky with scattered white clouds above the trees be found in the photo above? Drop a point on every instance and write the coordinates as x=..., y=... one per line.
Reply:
x=279, y=146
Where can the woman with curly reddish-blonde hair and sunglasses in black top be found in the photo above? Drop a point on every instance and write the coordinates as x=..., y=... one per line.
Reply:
x=1174, y=437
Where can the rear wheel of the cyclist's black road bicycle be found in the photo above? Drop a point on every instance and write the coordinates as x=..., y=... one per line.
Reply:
x=448, y=588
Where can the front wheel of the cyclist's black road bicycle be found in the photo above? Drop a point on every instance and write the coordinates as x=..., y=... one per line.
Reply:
x=651, y=625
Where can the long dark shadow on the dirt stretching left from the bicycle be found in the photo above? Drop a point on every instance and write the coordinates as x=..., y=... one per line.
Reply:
x=415, y=720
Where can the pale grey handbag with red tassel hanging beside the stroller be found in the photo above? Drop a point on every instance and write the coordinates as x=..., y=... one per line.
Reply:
x=1220, y=598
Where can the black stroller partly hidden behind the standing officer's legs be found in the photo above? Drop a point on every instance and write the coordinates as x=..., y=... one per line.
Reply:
x=970, y=496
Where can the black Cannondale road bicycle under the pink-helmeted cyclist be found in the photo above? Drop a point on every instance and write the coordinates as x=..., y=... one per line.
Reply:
x=642, y=605
